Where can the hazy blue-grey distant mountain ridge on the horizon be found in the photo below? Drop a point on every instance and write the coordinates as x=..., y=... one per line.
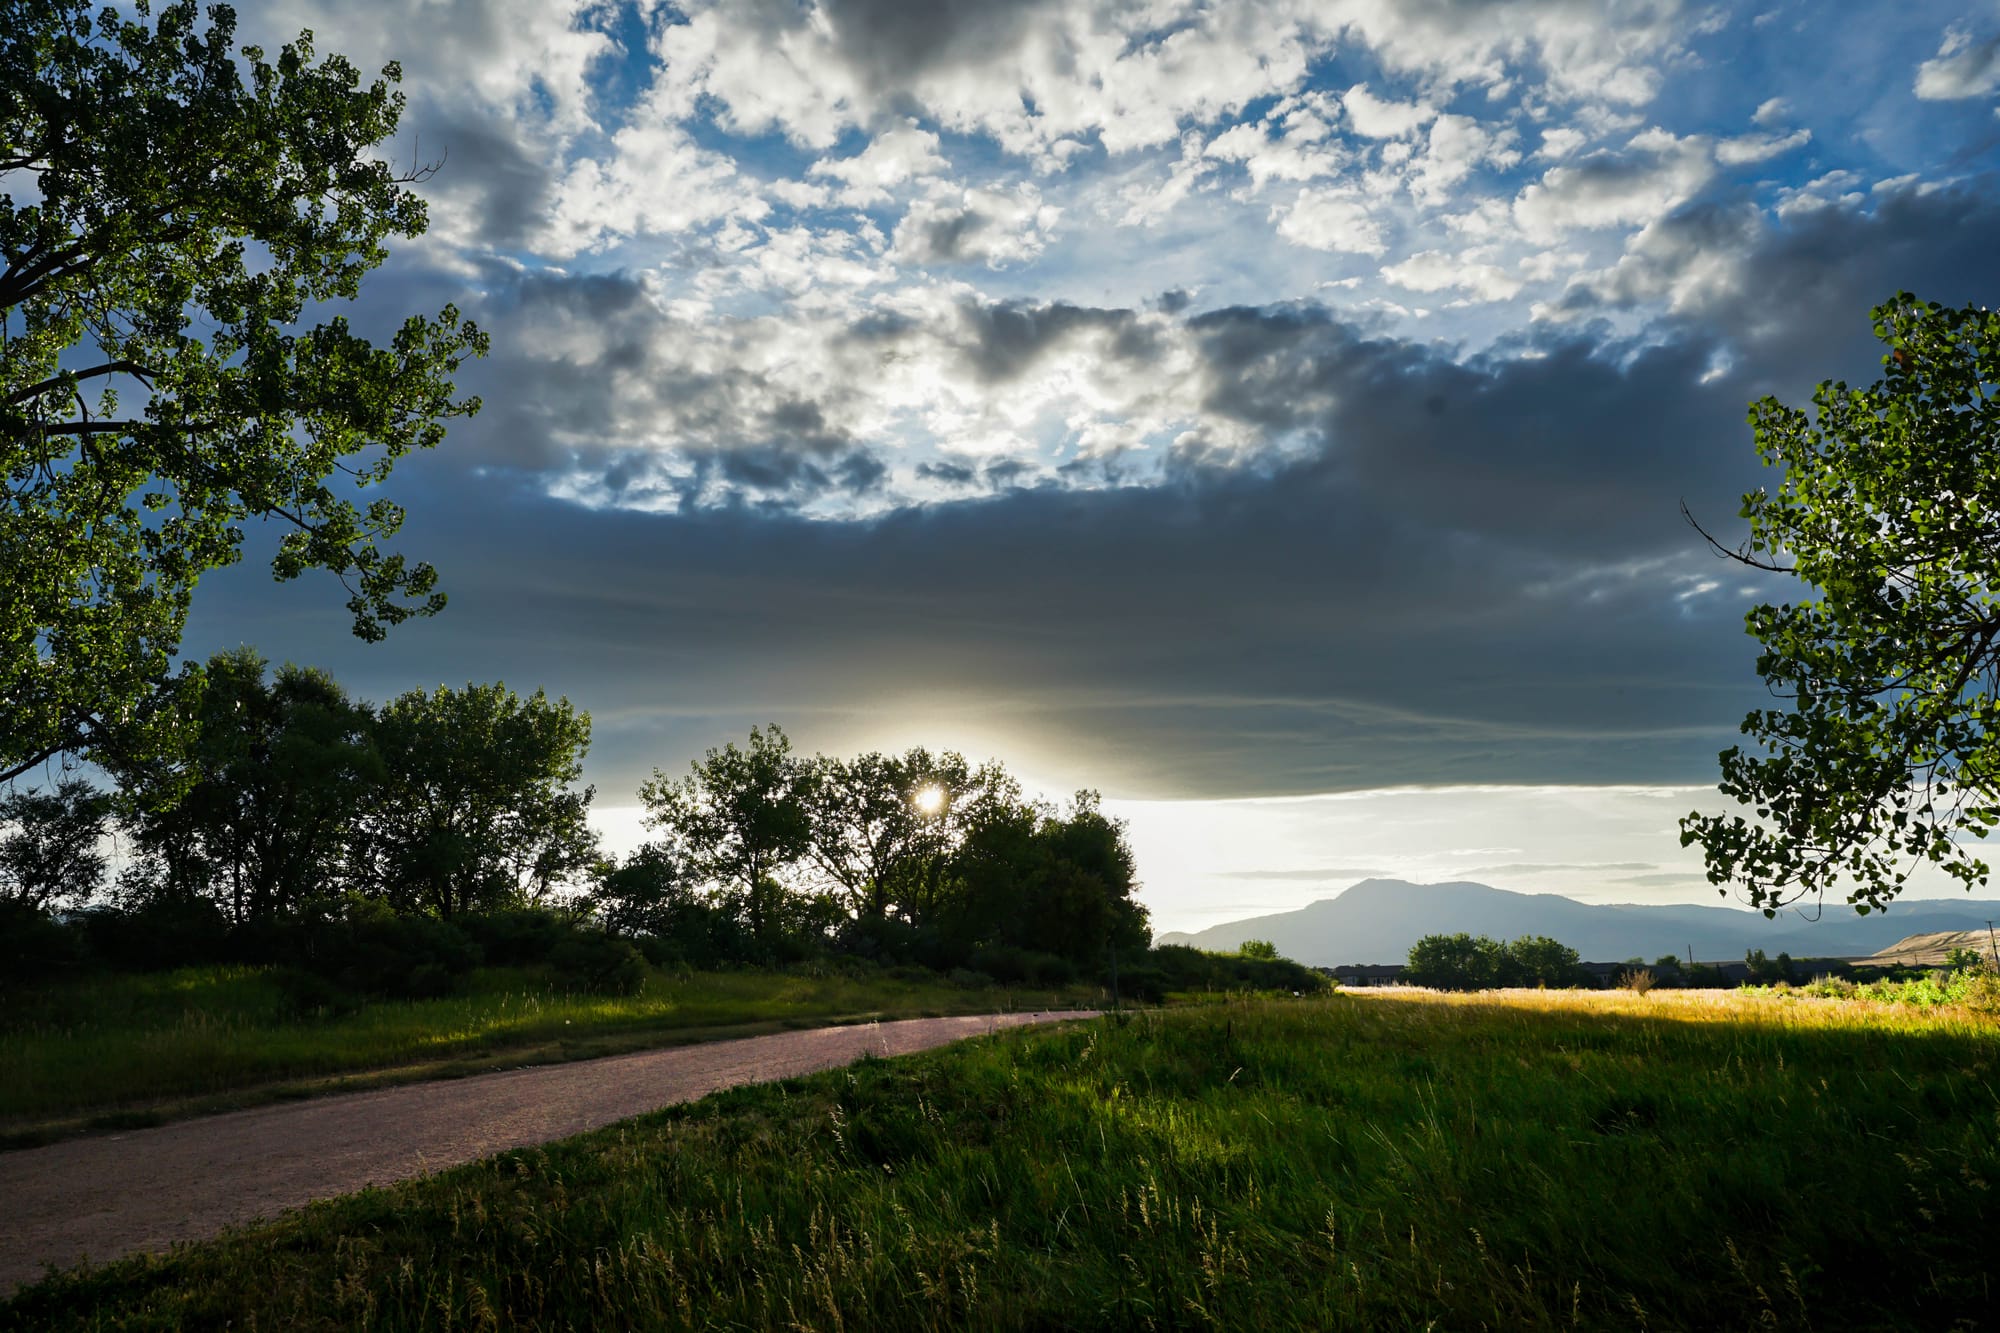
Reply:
x=1379, y=920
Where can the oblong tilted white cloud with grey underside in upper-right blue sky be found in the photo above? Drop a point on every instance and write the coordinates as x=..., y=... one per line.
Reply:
x=1655, y=173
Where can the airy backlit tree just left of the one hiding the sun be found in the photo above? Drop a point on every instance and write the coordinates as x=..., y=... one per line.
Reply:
x=739, y=822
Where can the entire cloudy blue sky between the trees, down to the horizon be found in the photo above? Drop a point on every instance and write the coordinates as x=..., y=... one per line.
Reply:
x=1271, y=413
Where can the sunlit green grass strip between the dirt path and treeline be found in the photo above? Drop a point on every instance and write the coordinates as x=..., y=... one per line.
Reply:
x=133, y=1048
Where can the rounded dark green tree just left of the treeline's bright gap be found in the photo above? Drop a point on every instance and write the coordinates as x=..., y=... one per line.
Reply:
x=479, y=802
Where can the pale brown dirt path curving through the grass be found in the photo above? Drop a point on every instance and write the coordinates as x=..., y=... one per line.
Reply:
x=151, y=1188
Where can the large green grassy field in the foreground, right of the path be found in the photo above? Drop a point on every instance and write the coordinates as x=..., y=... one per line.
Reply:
x=1375, y=1162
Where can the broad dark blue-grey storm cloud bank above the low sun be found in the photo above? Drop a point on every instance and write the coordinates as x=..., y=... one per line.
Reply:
x=1459, y=573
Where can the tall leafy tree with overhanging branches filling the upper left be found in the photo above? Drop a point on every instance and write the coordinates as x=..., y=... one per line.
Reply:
x=165, y=227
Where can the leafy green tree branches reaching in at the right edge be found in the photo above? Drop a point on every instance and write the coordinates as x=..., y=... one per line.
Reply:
x=1887, y=750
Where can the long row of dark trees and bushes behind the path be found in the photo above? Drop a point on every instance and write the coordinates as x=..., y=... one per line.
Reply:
x=395, y=848
